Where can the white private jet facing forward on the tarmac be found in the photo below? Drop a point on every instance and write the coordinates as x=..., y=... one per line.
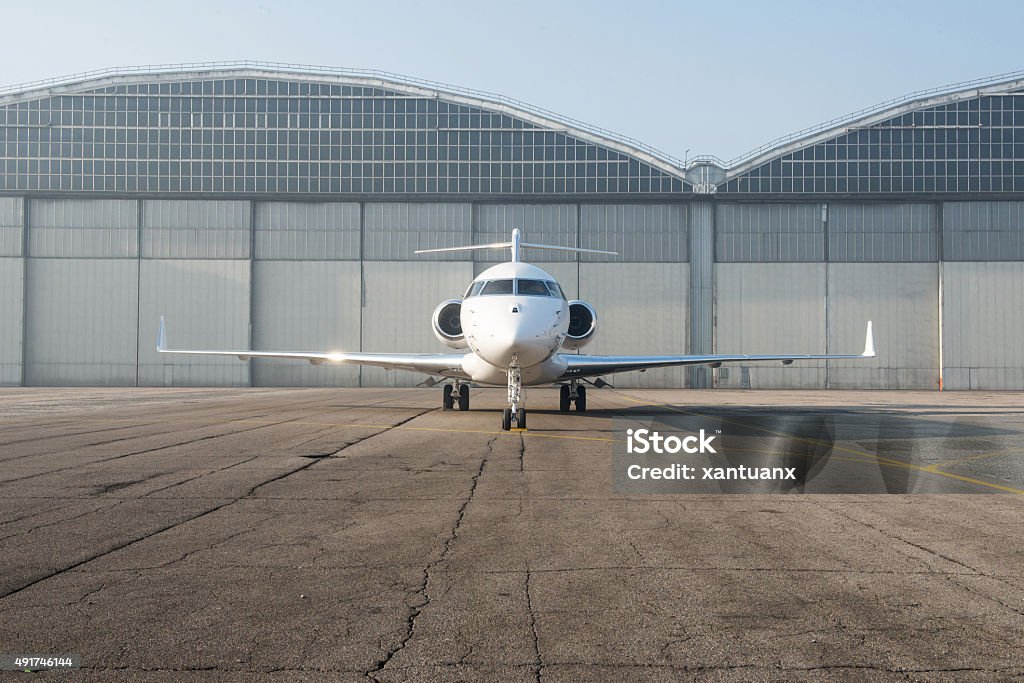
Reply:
x=516, y=328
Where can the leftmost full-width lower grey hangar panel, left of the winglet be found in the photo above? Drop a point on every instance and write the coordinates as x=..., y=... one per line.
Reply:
x=81, y=322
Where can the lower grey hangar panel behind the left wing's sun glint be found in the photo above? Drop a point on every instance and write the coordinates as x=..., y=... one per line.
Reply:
x=306, y=307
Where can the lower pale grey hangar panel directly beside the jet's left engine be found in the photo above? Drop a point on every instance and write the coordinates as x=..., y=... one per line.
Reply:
x=400, y=298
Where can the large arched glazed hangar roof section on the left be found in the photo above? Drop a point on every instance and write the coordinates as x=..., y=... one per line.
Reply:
x=261, y=127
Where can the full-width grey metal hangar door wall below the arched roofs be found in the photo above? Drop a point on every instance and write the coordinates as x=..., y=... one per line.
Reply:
x=88, y=270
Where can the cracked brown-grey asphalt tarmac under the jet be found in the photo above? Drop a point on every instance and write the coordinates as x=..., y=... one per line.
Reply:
x=365, y=535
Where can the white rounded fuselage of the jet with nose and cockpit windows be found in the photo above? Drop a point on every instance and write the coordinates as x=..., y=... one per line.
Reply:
x=509, y=318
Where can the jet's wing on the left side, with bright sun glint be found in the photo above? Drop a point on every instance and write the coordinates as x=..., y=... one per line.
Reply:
x=447, y=365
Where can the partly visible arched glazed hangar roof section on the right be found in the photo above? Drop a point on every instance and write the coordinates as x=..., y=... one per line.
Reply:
x=963, y=139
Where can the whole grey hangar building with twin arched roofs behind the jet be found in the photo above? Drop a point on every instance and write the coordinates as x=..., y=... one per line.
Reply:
x=272, y=206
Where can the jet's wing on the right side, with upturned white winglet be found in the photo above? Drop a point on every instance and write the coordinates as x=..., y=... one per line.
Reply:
x=592, y=366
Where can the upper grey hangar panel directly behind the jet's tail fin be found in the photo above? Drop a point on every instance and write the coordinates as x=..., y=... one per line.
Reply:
x=542, y=224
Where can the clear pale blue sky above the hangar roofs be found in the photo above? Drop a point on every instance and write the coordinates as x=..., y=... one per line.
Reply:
x=715, y=78
